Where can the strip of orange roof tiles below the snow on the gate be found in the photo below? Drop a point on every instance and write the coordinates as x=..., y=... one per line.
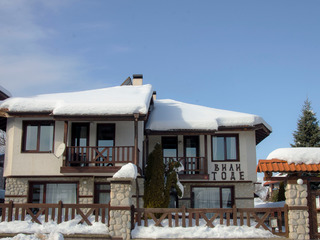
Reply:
x=276, y=165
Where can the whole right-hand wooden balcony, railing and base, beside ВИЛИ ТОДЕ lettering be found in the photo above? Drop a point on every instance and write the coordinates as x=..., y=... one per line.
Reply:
x=194, y=167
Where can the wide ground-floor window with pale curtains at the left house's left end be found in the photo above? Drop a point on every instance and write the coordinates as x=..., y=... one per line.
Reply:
x=53, y=192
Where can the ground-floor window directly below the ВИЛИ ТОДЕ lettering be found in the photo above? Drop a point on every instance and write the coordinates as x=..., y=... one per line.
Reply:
x=213, y=197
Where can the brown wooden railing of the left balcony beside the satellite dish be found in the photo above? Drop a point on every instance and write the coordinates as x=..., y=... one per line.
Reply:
x=98, y=156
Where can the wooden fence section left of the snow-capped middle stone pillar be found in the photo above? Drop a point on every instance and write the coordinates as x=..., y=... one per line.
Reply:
x=56, y=212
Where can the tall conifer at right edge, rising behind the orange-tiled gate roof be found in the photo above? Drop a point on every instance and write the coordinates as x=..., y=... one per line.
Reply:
x=308, y=132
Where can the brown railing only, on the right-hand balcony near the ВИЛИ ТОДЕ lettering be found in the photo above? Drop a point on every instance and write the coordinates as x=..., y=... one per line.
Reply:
x=192, y=165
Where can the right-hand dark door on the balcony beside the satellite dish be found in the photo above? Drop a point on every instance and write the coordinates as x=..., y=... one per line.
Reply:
x=105, y=143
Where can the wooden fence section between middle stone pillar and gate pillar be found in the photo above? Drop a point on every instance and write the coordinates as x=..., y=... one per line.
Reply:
x=188, y=217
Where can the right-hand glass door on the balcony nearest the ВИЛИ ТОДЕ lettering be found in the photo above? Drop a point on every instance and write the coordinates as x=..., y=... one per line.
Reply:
x=191, y=153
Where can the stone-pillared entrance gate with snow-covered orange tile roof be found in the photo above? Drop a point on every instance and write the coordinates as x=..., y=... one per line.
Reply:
x=300, y=170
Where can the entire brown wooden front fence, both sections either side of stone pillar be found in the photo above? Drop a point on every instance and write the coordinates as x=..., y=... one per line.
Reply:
x=173, y=217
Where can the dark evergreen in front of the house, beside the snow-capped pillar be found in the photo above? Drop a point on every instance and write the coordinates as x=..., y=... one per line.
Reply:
x=160, y=180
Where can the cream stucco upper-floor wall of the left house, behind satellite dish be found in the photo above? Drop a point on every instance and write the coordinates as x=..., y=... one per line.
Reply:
x=47, y=164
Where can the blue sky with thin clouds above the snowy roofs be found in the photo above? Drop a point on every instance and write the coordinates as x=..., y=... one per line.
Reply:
x=260, y=57
